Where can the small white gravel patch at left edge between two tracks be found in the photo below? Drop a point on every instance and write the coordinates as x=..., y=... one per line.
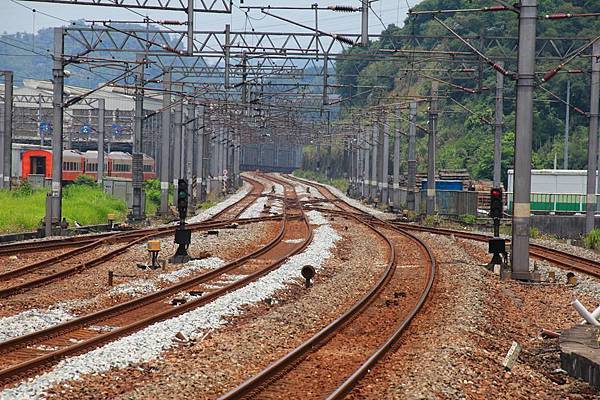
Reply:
x=31, y=321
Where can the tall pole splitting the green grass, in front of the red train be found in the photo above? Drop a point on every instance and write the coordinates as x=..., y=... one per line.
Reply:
x=53, y=203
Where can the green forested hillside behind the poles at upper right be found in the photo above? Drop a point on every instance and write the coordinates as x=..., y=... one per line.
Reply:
x=463, y=141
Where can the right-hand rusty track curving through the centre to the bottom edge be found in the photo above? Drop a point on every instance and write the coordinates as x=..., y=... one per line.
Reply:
x=332, y=361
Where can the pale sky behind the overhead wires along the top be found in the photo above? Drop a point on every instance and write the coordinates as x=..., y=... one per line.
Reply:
x=17, y=16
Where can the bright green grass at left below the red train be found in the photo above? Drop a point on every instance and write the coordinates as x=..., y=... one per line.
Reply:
x=23, y=209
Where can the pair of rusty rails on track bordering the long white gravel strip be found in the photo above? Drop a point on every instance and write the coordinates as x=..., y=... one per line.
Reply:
x=16, y=371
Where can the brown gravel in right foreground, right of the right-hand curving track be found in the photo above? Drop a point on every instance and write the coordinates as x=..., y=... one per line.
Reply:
x=455, y=347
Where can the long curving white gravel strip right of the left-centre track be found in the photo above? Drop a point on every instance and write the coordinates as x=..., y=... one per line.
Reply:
x=149, y=343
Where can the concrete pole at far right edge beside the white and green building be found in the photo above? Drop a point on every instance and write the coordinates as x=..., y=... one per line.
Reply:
x=593, y=140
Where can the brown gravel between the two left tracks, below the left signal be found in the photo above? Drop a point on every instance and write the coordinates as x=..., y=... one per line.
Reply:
x=92, y=284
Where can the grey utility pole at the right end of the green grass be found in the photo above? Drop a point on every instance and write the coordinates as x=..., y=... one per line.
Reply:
x=137, y=163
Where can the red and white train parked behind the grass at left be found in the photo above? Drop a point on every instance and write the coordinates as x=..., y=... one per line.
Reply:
x=75, y=163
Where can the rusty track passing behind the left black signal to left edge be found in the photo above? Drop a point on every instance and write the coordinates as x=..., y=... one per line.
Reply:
x=103, y=249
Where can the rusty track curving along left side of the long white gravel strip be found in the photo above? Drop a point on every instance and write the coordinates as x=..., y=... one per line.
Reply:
x=20, y=358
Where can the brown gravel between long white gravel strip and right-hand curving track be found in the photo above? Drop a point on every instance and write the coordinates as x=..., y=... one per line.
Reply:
x=263, y=334
